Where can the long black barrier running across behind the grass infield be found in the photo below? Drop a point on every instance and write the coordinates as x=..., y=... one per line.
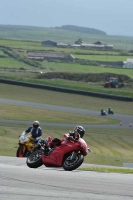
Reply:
x=59, y=89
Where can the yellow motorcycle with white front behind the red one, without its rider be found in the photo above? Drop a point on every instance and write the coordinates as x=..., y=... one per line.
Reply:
x=26, y=145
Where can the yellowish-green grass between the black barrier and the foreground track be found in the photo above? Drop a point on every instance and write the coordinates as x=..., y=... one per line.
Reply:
x=109, y=147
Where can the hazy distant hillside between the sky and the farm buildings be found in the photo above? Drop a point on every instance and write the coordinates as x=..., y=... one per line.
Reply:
x=65, y=34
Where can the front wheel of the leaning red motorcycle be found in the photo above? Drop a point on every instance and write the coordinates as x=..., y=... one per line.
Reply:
x=72, y=164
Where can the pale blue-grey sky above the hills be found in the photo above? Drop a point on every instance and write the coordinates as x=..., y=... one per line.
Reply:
x=112, y=16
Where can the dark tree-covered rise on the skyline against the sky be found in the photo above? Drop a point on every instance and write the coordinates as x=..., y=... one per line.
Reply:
x=82, y=29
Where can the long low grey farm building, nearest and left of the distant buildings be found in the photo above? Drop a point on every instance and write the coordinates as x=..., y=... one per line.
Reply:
x=49, y=56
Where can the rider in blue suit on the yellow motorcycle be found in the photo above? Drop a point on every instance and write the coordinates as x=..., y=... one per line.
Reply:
x=35, y=131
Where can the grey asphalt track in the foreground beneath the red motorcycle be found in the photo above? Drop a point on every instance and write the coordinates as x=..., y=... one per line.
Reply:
x=17, y=181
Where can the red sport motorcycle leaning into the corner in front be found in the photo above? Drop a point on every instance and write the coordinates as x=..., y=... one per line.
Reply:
x=69, y=155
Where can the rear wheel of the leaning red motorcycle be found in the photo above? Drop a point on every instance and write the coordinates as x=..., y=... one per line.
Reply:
x=34, y=160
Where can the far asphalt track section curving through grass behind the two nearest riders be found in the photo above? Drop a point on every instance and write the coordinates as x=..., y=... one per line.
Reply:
x=126, y=119
